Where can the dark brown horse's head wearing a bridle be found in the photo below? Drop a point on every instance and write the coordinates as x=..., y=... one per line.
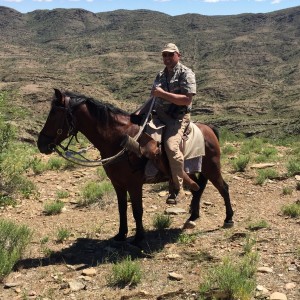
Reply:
x=58, y=125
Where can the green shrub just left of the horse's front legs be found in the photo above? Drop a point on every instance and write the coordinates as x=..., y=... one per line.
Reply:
x=93, y=192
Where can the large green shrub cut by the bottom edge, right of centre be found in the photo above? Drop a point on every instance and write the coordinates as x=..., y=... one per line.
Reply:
x=234, y=280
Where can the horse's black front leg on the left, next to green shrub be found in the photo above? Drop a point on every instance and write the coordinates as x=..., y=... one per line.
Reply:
x=122, y=205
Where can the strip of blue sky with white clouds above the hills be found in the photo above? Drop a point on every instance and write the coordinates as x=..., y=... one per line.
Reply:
x=171, y=7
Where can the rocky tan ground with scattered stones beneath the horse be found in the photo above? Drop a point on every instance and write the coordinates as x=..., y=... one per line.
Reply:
x=79, y=267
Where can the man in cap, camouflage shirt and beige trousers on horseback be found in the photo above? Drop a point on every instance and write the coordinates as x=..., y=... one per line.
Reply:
x=174, y=88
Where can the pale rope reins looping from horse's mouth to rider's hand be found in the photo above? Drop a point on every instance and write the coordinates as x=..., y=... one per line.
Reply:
x=70, y=155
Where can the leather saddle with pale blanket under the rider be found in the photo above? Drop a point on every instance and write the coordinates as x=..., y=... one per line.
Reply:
x=150, y=145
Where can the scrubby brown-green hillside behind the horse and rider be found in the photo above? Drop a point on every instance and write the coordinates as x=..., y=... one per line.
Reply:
x=247, y=65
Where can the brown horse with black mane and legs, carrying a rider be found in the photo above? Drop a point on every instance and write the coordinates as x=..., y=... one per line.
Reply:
x=105, y=126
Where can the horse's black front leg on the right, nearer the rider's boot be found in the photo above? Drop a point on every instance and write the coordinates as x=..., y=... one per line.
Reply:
x=135, y=193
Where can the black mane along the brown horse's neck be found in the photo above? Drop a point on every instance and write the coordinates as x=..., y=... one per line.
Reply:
x=102, y=111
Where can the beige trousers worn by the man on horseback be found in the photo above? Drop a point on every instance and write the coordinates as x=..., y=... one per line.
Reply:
x=172, y=137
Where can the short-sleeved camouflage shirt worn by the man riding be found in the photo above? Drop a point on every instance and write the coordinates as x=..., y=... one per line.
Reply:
x=181, y=81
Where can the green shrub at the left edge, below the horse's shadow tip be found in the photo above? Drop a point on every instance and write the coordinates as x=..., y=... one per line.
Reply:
x=13, y=241
